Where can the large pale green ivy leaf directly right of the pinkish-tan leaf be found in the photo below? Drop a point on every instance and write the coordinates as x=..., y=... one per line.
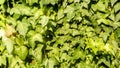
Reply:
x=22, y=28
